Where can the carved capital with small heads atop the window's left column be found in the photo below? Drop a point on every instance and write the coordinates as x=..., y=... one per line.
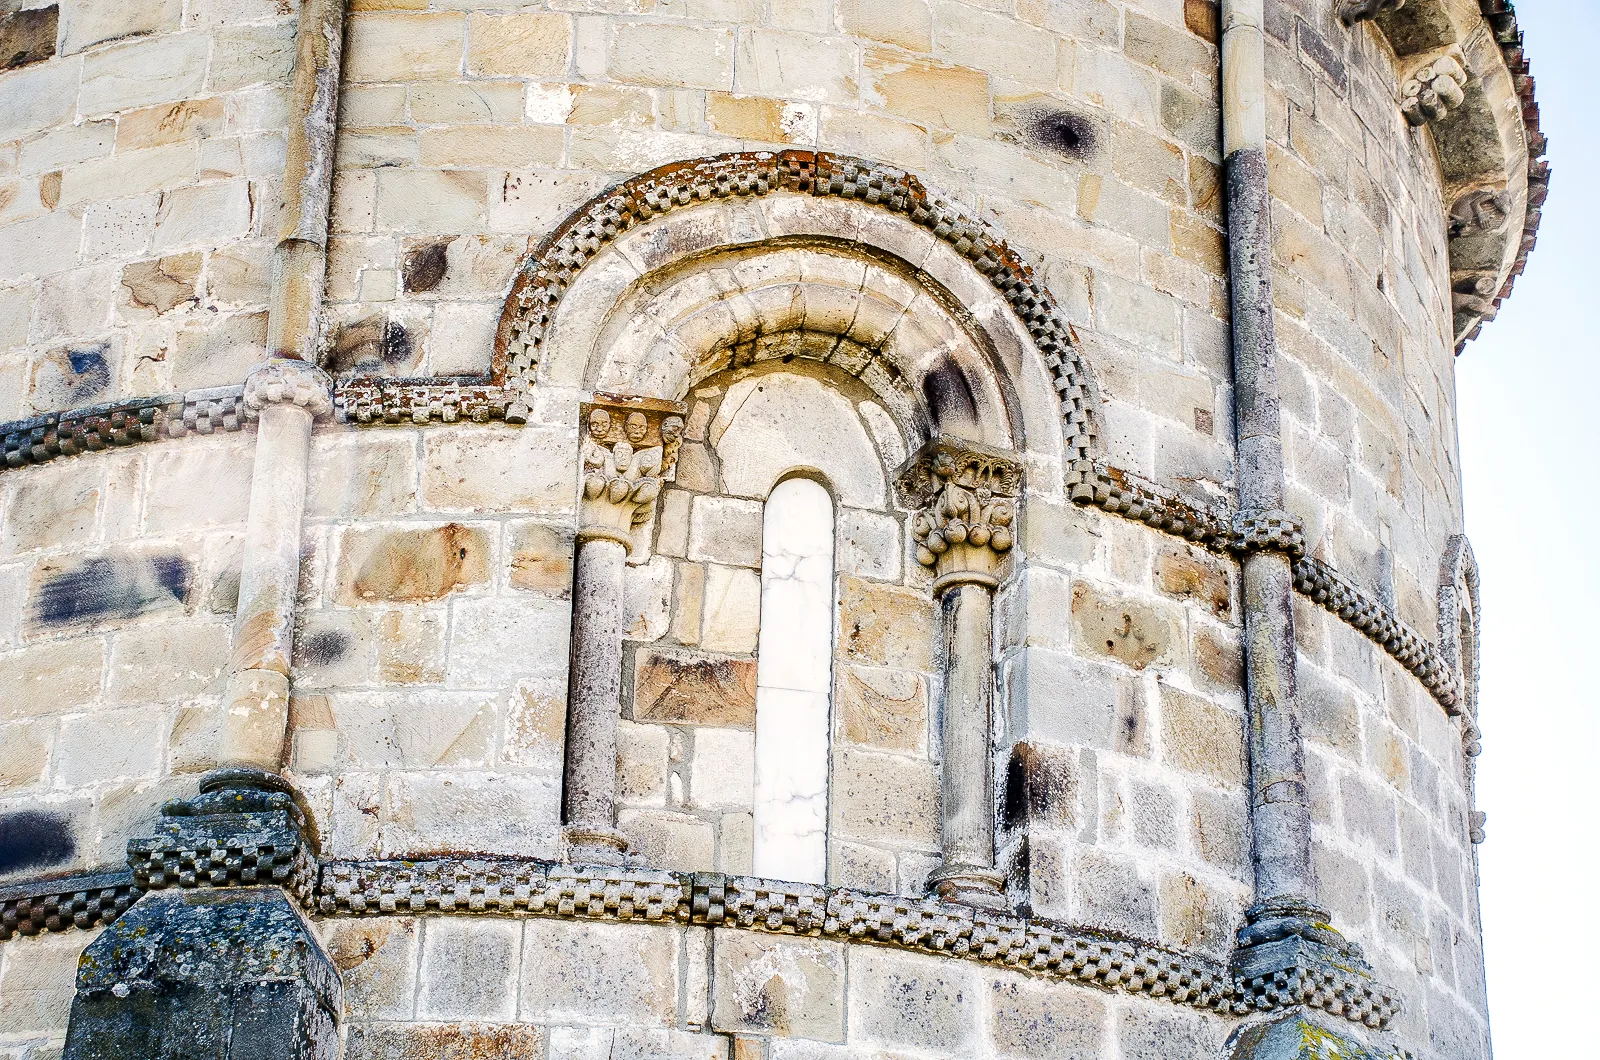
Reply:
x=630, y=451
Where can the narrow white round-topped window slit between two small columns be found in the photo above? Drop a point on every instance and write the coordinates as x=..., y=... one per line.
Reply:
x=794, y=683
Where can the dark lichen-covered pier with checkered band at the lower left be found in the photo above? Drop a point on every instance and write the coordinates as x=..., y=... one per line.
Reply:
x=217, y=962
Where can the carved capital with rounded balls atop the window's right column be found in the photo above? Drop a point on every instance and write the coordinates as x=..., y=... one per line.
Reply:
x=967, y=499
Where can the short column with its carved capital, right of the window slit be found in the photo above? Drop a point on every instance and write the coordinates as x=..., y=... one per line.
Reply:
x=966, y=500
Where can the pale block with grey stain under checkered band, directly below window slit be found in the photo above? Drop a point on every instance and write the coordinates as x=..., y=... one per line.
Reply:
x=780, y=987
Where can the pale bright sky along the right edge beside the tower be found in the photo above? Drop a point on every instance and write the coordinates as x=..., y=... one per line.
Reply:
x=1529, y=395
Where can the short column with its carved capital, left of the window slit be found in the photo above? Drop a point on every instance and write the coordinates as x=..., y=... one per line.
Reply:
x=630, y=451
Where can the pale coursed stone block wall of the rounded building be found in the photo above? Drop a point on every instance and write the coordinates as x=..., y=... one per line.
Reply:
x=138, y=171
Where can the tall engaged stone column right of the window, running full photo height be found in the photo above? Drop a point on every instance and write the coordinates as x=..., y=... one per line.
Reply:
x=1287, y=934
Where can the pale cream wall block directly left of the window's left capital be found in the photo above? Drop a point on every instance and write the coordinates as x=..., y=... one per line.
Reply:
x=500, y=470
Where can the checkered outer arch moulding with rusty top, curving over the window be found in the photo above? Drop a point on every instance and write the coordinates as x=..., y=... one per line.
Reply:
x=556, y=263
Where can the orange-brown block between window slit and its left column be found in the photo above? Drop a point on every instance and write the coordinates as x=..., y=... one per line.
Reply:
x=689, y=688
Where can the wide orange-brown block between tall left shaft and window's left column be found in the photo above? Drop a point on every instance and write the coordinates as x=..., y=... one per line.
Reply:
x=380, y=564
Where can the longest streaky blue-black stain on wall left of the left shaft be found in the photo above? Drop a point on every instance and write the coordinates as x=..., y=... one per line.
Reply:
x=113, y=587
